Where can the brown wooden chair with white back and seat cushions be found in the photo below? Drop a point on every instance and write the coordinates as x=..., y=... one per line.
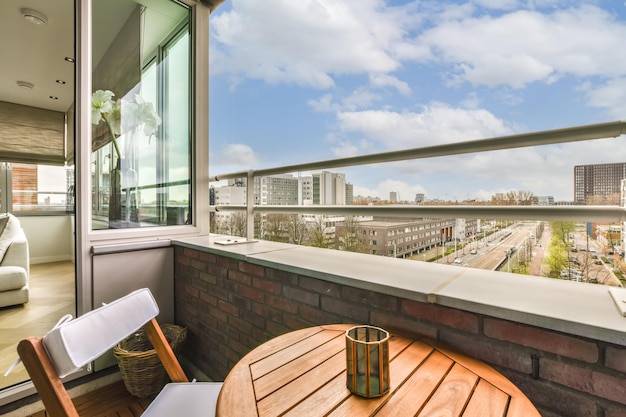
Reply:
x=76, y=343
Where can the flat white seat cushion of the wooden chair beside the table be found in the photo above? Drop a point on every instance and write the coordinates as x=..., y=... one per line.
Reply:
x=189, y=399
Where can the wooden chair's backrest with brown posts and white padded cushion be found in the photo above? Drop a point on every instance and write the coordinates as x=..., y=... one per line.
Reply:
x=76, y=343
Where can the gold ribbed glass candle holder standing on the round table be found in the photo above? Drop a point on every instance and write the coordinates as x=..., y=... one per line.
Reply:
x=367, y=361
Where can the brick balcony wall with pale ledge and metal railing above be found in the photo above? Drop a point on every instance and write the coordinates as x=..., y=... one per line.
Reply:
x=561, y=342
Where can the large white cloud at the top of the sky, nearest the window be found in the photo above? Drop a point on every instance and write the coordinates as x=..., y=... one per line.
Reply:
x=306, y=42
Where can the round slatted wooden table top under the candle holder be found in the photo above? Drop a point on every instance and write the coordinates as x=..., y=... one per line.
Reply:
x=303, y=373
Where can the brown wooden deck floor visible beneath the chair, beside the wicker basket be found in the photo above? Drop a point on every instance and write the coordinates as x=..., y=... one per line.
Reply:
x=109, y=401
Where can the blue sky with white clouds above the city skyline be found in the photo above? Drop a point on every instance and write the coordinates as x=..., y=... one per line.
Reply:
x=295, y=81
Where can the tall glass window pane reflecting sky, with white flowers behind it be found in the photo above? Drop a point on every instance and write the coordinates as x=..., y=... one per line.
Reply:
x=140, y=115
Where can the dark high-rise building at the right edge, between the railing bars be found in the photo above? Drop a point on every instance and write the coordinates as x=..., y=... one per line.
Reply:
x=597, y=180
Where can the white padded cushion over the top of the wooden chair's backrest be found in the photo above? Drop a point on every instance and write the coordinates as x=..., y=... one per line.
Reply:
x=80, y=341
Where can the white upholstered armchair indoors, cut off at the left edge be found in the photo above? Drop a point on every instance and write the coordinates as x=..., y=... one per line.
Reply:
x=15, y=269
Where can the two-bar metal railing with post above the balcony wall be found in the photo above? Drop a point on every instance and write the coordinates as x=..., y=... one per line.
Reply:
x=542, y=138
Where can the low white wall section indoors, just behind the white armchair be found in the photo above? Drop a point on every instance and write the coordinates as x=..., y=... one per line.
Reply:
x=50, y=238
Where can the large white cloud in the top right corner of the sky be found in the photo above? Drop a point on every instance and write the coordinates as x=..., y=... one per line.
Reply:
x=527, y=46
